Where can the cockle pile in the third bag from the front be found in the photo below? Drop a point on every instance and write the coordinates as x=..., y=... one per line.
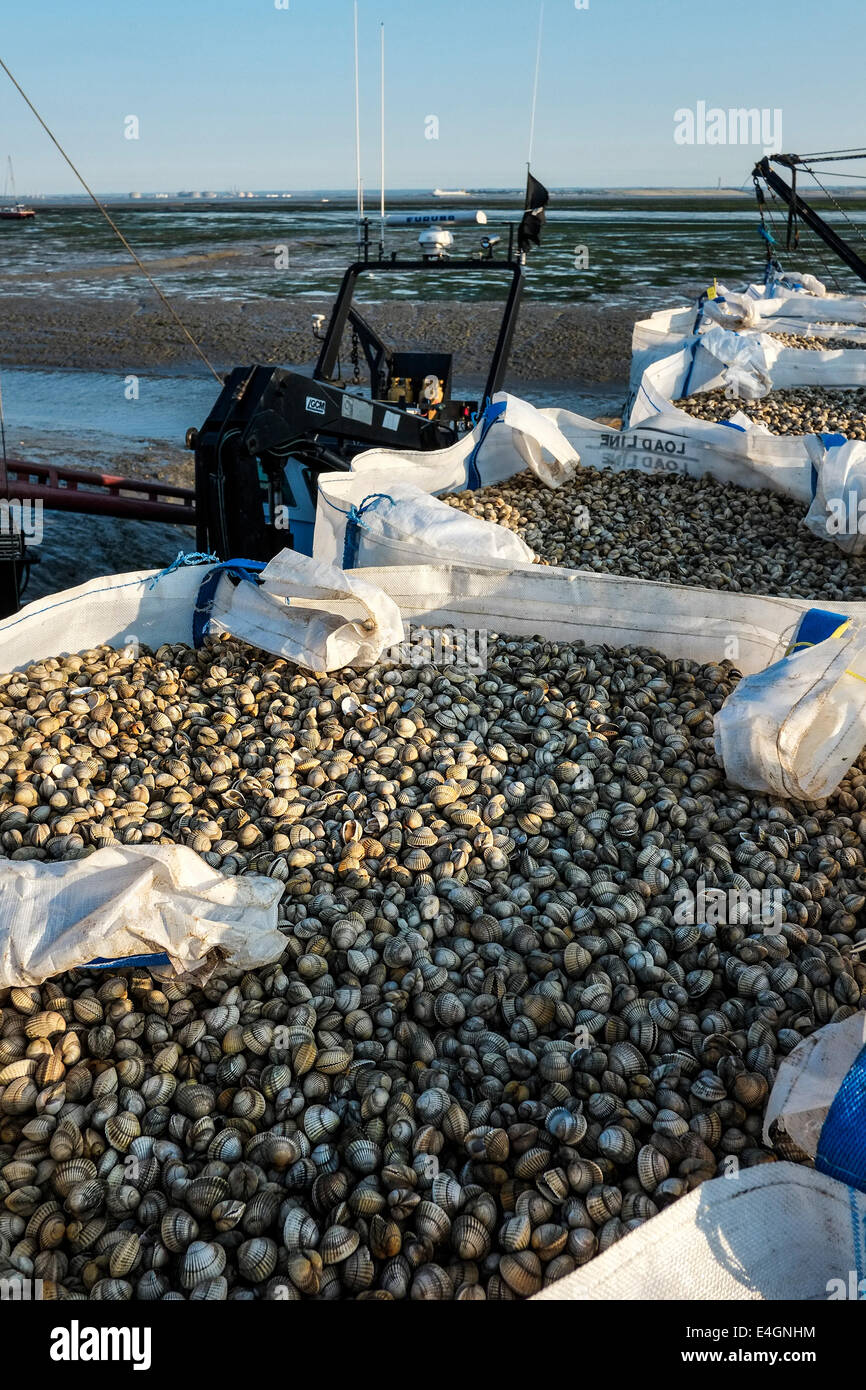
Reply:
x=797, y=411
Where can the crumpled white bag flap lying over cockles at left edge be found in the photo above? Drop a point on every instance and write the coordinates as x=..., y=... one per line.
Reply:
x=131, y=901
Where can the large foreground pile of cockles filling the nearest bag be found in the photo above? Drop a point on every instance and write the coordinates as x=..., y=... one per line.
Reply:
x=496, y=1043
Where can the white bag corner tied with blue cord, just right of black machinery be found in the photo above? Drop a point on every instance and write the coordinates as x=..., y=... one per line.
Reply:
x=375, y=518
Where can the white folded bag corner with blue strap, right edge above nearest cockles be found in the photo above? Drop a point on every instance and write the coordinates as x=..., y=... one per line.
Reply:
x=797, y=728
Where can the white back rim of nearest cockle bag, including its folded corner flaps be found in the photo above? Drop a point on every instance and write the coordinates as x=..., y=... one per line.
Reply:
x=783, y=743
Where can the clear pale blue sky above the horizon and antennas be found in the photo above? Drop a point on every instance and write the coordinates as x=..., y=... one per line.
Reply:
x=241, y=94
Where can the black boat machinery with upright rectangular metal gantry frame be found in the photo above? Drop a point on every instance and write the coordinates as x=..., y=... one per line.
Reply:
x=268, y=415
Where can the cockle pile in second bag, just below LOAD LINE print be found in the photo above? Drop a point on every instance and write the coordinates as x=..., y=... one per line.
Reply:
x=671, y=529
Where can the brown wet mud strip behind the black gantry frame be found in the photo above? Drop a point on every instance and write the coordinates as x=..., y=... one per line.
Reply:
x=583, y=341
